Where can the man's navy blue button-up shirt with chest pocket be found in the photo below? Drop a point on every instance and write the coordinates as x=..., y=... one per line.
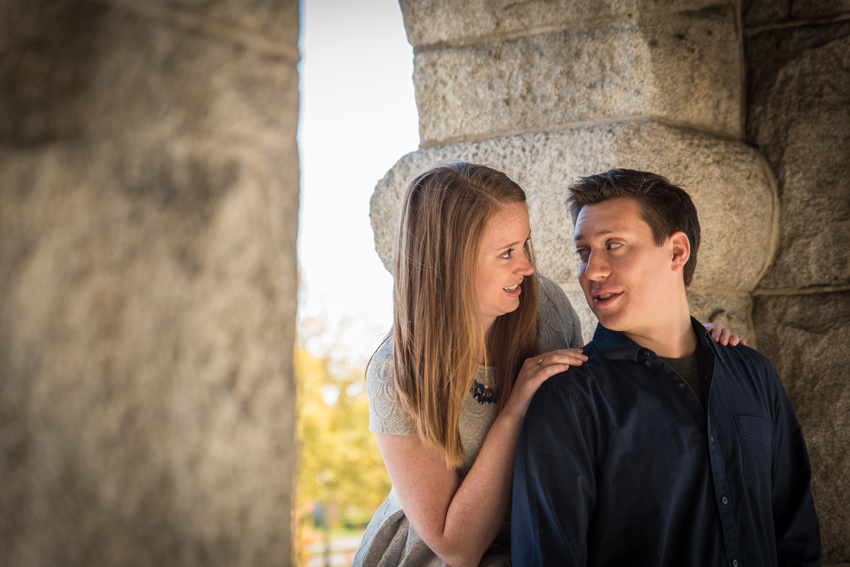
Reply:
x=620, y=464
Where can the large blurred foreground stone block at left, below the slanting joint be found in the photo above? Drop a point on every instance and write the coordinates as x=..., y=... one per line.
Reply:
x=148, y=206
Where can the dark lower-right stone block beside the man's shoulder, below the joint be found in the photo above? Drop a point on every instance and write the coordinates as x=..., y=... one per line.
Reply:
x=806, y=337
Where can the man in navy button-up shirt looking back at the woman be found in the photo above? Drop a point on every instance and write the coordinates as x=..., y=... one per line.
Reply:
x=664, y=448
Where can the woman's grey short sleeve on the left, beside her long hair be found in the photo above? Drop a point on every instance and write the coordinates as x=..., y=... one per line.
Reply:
x=385, y=416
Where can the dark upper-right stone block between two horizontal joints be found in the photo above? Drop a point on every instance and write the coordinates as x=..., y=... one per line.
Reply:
x=800, y=118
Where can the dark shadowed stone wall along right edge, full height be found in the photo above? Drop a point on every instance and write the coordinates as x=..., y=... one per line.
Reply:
x=798, y=114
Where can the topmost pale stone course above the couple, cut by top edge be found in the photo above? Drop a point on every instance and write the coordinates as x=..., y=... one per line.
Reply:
x=431, y=22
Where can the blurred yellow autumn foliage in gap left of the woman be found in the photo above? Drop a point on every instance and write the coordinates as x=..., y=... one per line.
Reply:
x=340, y=464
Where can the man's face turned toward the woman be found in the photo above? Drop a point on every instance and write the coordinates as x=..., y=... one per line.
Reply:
x=626, y=278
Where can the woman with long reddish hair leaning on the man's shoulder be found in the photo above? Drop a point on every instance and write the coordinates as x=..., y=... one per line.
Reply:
x=448, y=389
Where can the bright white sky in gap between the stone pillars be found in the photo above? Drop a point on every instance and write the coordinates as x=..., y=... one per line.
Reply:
x=358, y=117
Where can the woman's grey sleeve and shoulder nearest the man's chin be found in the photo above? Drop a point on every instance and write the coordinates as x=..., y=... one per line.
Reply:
x=558, y=323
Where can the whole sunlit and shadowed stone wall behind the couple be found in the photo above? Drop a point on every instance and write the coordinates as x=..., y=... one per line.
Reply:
x=746, y=106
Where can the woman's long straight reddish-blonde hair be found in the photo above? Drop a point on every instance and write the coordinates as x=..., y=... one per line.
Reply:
x=438, y=329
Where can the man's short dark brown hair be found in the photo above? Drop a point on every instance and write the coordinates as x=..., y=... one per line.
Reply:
x=665, y=207
